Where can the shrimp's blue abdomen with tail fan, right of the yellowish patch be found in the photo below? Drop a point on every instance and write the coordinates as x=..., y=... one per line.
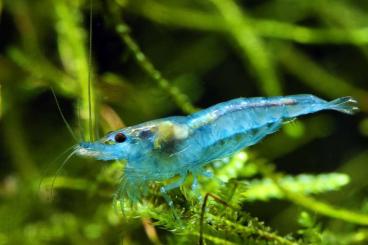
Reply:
x=238, y=123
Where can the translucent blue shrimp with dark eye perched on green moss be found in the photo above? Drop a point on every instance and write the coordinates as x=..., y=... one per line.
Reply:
x=176, y=146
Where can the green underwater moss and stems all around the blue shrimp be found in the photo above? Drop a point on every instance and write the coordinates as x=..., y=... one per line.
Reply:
x=306, y=184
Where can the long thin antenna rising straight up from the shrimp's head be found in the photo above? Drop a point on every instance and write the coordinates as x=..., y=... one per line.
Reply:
x=91, y=133
